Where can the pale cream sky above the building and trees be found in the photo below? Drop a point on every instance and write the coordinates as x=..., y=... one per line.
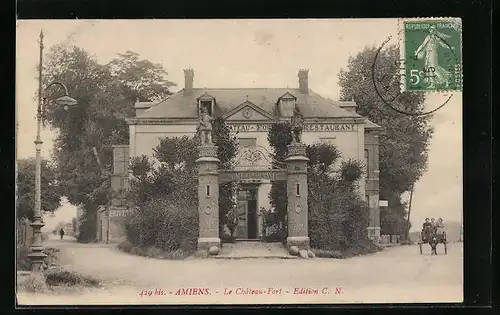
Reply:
x=244, y=53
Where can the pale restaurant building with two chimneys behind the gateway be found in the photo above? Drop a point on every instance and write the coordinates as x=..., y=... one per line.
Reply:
x=250, y=112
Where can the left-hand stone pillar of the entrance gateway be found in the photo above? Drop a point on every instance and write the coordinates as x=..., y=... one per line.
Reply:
x=208, y=199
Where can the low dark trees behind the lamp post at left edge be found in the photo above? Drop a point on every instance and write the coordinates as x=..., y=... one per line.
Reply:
x=50, y=192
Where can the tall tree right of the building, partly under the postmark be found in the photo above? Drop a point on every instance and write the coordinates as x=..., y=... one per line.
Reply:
x=404, y=140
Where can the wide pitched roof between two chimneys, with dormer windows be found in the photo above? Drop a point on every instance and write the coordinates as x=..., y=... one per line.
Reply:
x=178, y=105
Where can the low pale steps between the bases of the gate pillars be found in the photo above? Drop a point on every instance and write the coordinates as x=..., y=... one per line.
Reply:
x=253, y=249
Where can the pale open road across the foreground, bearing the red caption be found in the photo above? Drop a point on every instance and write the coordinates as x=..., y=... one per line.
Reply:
x=394, y=275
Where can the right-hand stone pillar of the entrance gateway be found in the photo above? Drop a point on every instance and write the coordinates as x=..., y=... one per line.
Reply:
x=297, y=196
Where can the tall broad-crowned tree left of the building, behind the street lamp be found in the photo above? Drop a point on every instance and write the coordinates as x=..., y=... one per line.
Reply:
x=106, y=95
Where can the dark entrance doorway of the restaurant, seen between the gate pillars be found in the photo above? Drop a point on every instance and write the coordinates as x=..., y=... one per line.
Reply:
x=248, y=213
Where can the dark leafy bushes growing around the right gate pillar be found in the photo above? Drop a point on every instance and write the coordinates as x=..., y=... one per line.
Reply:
x=338, y=217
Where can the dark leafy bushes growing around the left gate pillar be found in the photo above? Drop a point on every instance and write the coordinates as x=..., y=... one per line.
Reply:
x=164, y=190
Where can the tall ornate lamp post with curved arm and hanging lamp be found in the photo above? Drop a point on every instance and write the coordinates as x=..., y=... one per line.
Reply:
x=37, y=256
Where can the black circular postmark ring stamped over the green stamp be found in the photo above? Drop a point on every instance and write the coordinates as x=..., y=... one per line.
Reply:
x=385, y=76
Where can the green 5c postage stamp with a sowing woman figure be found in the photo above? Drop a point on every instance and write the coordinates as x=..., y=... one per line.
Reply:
x=431, y=53
